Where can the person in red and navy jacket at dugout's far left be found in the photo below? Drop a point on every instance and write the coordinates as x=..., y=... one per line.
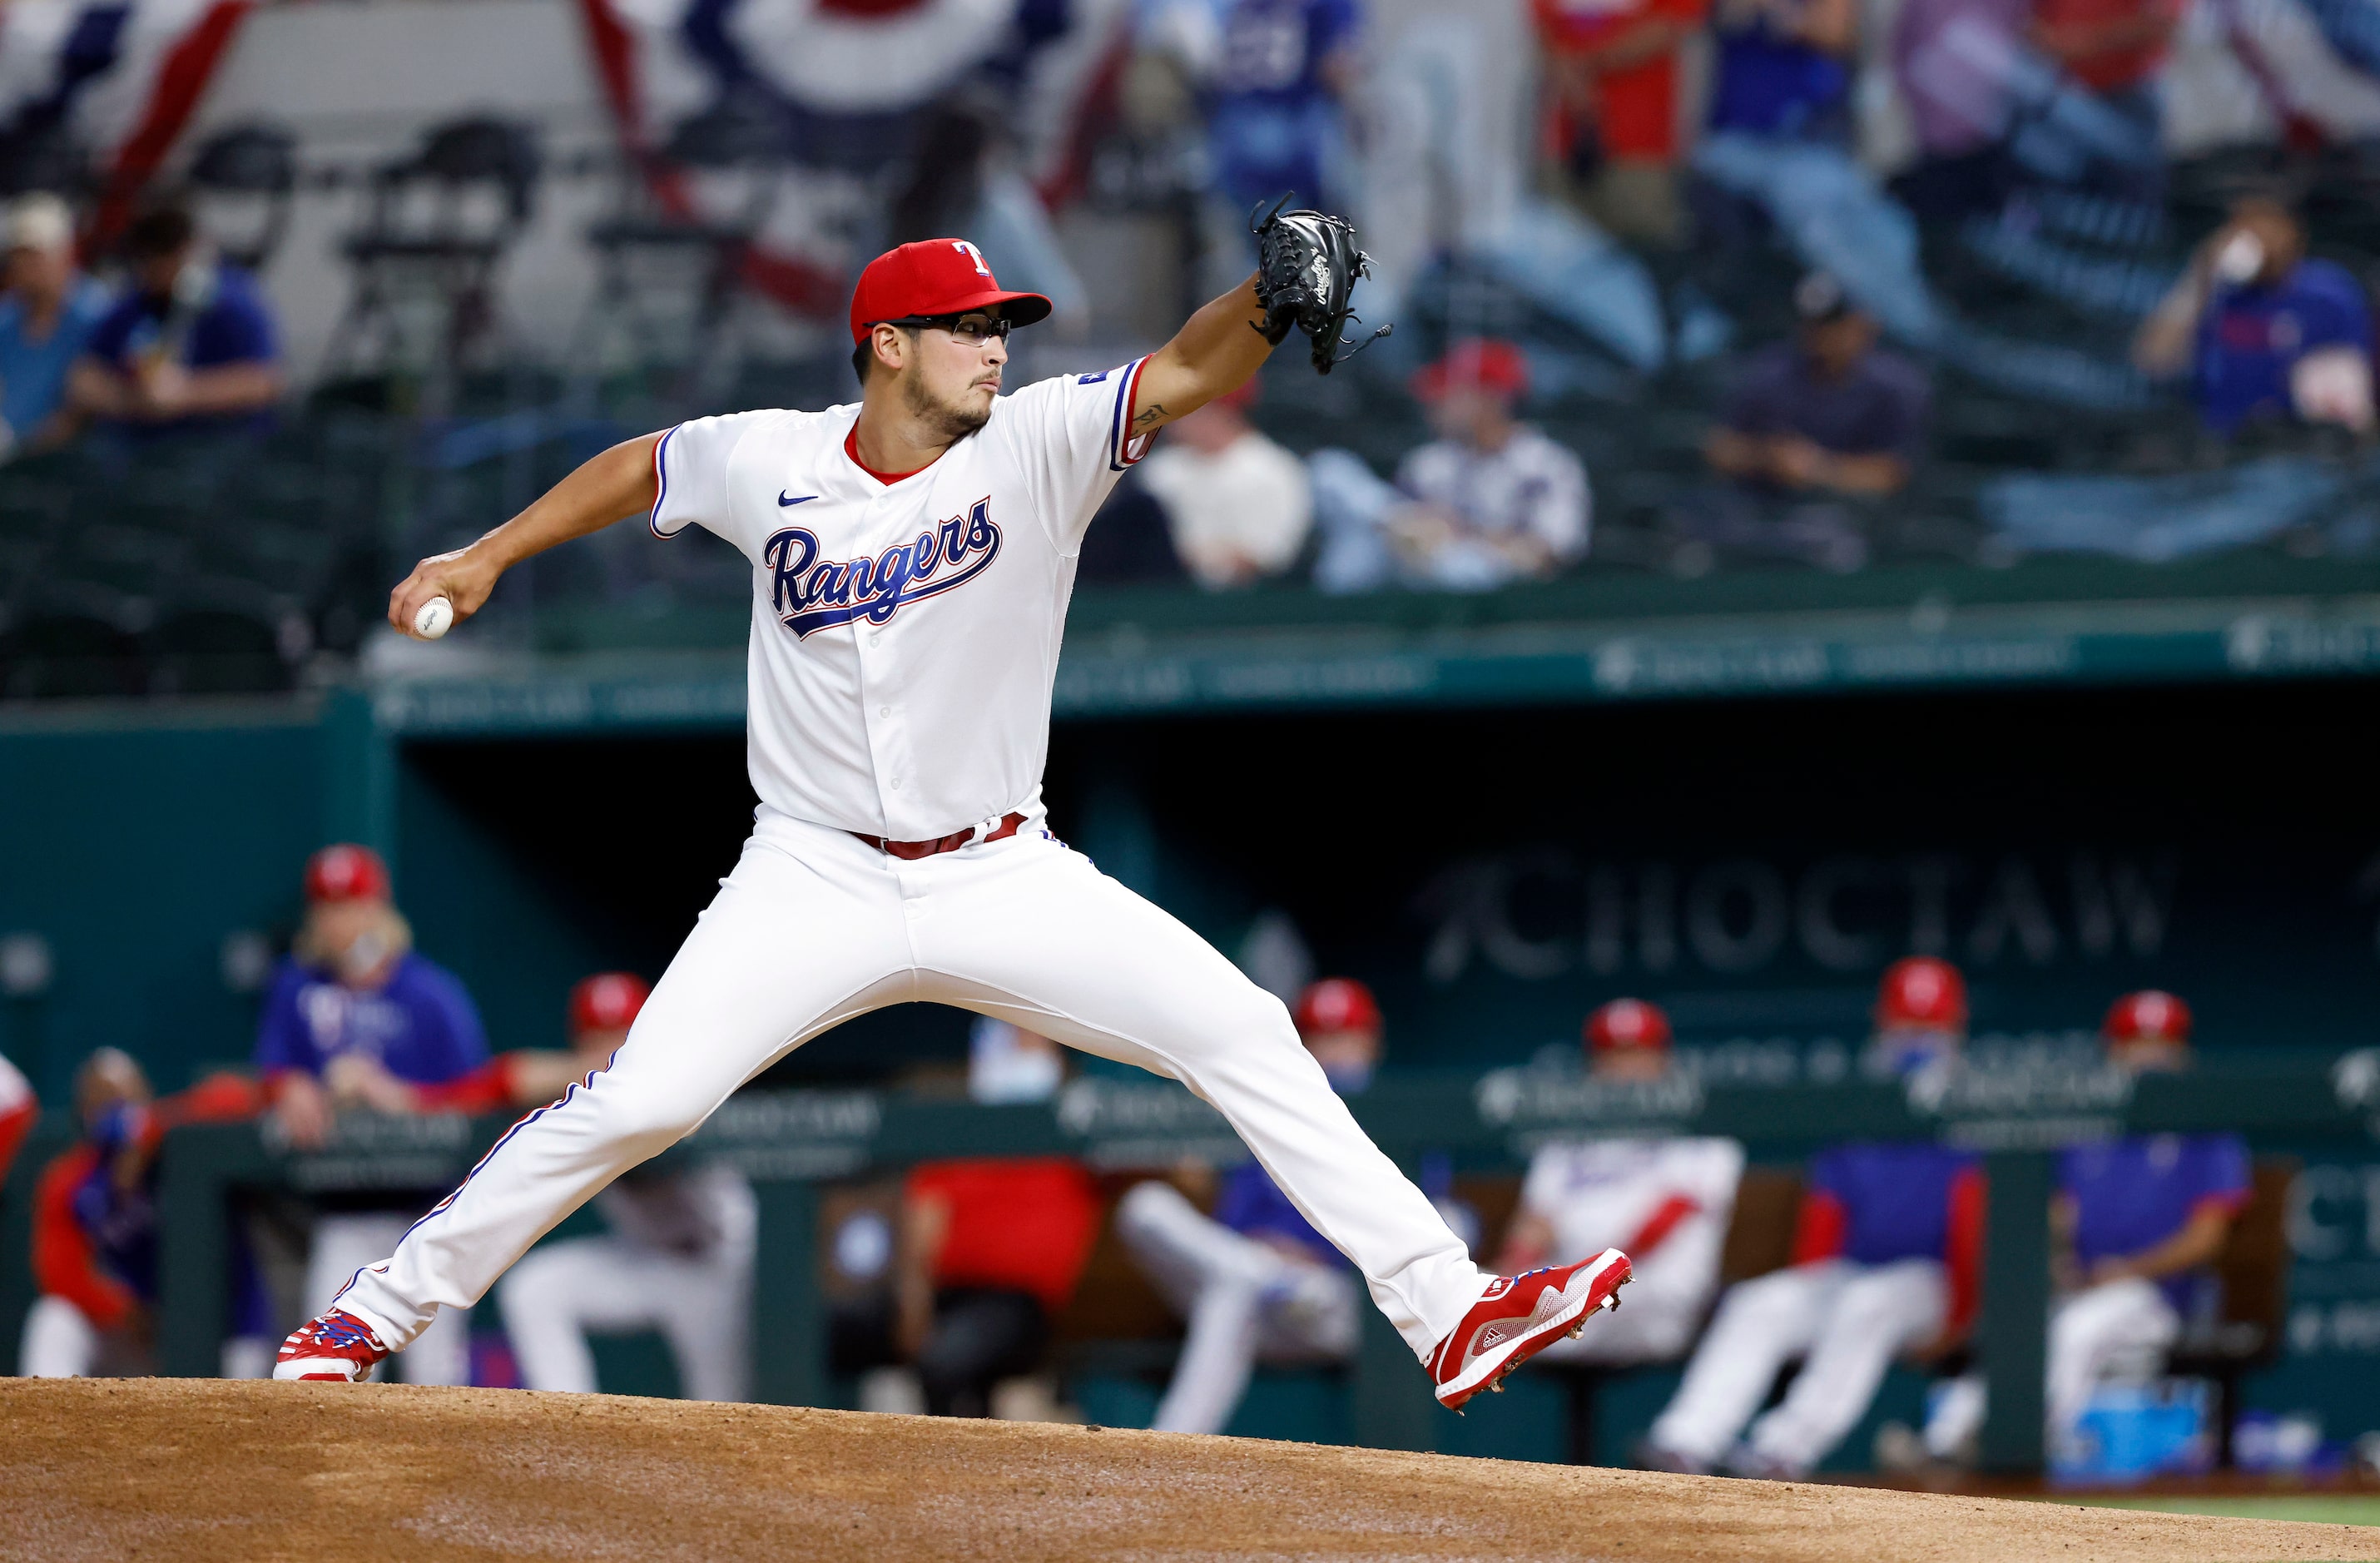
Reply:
x=96, y=1229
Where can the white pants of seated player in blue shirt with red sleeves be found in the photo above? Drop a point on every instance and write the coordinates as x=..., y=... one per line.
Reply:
x=1846, y=1319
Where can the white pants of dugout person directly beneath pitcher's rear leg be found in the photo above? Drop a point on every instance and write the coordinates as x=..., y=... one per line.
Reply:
x=563, y=1293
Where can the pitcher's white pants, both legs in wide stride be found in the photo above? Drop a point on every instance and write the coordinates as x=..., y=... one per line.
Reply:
x=813, y=929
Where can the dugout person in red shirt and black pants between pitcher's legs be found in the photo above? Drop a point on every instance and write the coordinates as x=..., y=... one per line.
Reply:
x=991, y=1250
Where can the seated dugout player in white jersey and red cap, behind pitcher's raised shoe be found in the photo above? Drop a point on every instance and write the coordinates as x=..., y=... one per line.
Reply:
x=1662, y=1203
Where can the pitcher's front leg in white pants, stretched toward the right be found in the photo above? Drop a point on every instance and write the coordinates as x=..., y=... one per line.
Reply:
x=1032, y=934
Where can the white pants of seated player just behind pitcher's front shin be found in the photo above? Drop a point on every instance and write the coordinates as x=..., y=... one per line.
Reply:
x=1241, y=1298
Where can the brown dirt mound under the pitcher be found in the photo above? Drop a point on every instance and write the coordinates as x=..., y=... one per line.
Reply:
x=325, y=1474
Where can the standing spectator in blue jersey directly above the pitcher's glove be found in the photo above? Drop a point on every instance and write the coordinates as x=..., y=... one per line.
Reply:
x=1277, y=120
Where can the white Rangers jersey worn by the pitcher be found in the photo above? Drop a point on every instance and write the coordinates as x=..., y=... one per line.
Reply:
x=906, y=634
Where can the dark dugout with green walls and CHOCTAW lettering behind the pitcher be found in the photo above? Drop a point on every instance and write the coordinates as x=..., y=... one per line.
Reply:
x=1491, y=867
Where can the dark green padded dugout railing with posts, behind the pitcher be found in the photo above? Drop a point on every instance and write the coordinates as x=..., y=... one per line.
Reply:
x=796, y=1143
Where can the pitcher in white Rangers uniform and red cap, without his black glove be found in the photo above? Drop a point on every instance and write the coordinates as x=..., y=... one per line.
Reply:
x=913, y=558
